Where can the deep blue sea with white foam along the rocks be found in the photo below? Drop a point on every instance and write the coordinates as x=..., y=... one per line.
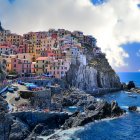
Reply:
x=126, y=127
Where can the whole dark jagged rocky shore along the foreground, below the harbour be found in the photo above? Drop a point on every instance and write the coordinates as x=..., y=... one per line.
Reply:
x=29, y=125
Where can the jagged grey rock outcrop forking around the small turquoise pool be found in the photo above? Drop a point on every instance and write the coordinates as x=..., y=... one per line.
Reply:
x=93, y=109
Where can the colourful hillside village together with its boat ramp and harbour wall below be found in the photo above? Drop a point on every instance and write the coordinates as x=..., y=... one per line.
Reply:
x=34, y=60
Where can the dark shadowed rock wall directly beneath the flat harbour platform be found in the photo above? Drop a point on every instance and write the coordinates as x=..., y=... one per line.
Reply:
x=52, y=120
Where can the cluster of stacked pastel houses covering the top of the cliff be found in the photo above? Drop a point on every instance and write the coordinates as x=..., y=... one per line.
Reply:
x=50, y=52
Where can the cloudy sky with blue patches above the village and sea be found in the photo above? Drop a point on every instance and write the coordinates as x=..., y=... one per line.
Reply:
x=114, y=23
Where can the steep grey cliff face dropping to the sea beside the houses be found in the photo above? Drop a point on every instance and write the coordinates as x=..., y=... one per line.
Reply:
x=97, y=73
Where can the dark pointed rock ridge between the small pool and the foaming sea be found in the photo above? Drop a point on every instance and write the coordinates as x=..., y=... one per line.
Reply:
x=95, y=111
